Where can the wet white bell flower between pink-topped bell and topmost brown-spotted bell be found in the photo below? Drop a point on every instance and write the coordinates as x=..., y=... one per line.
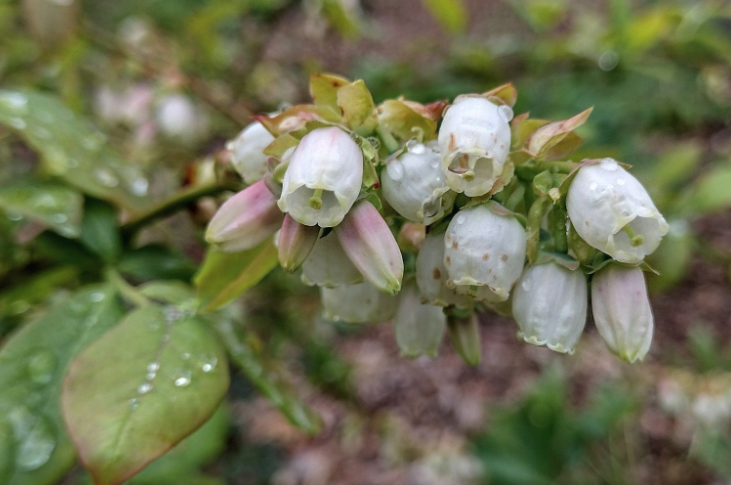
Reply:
x=414, y=185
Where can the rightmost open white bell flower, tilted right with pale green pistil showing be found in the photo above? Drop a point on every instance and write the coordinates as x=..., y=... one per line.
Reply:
x=613, y=212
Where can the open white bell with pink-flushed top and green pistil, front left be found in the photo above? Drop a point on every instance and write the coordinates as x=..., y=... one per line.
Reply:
x=323, y=179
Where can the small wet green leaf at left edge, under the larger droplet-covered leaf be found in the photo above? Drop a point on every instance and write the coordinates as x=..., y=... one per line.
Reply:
x=53, y=205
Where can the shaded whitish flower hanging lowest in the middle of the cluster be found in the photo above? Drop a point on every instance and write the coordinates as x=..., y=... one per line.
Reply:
x=419, y=326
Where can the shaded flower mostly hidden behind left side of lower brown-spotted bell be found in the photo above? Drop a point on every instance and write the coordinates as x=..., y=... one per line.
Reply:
x=431, y=275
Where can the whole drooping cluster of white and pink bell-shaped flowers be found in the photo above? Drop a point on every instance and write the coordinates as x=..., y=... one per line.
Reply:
x=487, y=210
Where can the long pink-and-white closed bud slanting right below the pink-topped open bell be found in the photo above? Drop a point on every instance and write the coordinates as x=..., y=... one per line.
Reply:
x=368, y=241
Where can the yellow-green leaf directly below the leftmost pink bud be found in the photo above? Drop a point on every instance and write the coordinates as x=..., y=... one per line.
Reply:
x=223, y=277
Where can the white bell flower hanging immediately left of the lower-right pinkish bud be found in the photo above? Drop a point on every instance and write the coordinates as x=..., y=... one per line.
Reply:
x=549, y=304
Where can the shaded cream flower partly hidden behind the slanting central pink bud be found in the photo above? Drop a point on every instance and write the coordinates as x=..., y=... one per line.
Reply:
x=329, y=266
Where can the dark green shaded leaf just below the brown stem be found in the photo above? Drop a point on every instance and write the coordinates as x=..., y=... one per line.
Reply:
x=156, y=262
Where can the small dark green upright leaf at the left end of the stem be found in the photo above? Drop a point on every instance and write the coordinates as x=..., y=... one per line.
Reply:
x=100, y=229
